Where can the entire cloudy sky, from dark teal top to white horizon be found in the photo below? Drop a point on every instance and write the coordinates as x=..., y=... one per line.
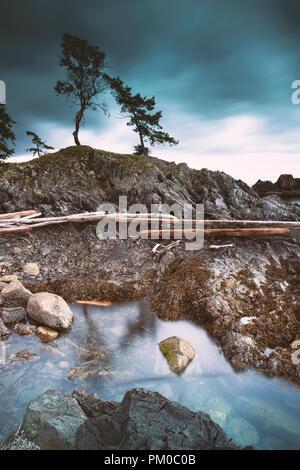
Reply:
x=221, y=72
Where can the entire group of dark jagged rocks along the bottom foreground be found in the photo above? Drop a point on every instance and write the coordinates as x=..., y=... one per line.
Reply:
x=144, y=420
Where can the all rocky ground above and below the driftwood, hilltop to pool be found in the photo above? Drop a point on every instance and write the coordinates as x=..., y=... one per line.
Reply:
x=245, y=296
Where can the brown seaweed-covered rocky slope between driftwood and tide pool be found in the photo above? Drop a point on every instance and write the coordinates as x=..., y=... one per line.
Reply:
x=245, y=296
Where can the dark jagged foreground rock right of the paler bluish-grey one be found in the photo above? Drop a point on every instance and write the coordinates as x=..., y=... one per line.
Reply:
x=147, y=420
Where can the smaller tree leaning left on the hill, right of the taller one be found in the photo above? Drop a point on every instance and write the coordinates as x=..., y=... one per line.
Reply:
x=142, y=119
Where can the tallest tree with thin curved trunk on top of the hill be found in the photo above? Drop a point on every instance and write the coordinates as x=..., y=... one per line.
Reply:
x=84, y=64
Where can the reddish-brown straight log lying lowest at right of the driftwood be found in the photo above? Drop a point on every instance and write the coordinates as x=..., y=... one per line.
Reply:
x=218, y=232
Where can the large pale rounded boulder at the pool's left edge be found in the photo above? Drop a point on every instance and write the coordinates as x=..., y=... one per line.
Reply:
x=50, y=310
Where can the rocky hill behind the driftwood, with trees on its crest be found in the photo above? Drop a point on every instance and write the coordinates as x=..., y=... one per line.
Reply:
x=78, y=179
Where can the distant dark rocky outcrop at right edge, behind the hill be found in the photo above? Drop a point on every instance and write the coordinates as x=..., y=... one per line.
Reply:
x=286, y=186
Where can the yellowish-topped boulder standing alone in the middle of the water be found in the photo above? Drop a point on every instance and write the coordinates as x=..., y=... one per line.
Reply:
x=178, y=352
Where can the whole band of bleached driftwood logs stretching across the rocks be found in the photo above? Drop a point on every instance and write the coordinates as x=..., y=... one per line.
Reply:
x=158, y=224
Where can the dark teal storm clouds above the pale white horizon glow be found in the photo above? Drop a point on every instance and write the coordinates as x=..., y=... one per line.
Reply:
x=214, y=58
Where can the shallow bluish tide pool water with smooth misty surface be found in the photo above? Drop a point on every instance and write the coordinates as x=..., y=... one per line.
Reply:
x=253, y=409
